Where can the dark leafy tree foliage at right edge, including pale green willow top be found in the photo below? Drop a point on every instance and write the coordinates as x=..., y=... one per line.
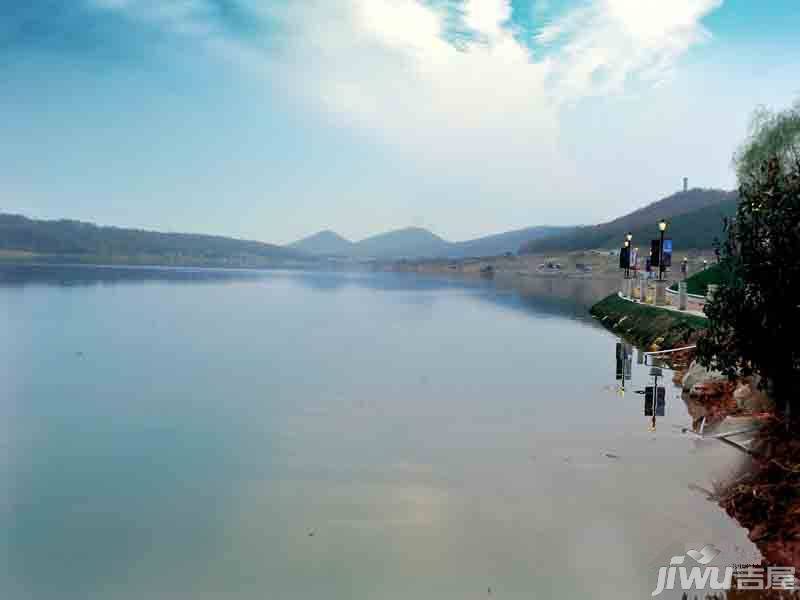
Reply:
x=755, y=317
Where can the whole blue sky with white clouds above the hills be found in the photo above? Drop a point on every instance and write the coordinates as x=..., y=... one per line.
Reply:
x=273, y=119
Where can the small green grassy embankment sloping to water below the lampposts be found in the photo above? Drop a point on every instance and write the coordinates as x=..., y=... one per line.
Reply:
x=647, y=326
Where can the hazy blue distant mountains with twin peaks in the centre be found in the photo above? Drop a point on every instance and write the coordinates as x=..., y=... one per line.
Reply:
x=415, y=242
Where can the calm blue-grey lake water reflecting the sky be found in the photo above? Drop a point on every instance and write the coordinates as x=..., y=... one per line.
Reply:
x=199, y=434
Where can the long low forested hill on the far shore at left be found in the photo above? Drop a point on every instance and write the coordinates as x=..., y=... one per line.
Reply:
x=86, y=241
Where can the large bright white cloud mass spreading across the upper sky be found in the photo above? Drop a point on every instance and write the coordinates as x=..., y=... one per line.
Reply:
x=488, y=108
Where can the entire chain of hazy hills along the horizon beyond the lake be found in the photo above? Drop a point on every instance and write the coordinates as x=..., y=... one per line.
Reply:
x=695, y=216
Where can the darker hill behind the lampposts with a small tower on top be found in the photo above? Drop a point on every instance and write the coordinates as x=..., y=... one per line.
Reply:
x=695, y=218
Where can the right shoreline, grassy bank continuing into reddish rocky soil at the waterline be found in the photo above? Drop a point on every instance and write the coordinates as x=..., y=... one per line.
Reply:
x=764, y=495
